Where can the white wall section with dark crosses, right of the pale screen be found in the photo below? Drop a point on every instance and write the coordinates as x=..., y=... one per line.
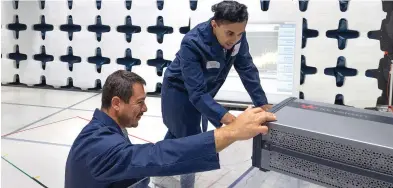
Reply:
x=338, y=51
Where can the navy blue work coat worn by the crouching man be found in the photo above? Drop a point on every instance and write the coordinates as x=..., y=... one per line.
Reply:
x=101, y=156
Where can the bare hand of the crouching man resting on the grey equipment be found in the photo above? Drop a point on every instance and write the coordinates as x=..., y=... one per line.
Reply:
x=247, y=125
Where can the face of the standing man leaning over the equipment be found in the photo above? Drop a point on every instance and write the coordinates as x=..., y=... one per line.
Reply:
x=228, y=34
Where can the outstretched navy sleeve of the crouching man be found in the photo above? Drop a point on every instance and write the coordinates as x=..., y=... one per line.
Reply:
x=110, y=158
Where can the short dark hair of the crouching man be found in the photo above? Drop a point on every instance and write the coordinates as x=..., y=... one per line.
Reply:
x=119, y=84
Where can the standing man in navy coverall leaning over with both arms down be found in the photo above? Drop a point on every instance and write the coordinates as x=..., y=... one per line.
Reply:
x=201, y=66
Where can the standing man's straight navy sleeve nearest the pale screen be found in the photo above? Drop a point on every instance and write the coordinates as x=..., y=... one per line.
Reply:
x=249, y=74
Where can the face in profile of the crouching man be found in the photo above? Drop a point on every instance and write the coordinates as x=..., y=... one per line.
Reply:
x=130, y=114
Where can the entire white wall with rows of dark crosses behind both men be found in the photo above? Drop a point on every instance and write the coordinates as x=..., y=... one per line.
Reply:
x=77, y=44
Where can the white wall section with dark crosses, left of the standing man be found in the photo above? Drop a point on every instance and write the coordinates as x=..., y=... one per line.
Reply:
x=79, y=43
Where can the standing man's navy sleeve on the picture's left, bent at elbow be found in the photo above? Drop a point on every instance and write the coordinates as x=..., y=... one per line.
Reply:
x=194, y=81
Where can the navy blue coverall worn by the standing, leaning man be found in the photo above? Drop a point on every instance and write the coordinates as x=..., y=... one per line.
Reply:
x=193, y=79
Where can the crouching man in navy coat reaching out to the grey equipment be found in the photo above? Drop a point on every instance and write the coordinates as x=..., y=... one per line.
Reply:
x=103, y=156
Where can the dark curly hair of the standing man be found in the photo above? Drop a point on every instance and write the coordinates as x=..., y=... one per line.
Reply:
x=230, y=11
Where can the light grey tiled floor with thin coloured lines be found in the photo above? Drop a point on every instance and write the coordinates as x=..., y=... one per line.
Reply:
x=38, y=127
